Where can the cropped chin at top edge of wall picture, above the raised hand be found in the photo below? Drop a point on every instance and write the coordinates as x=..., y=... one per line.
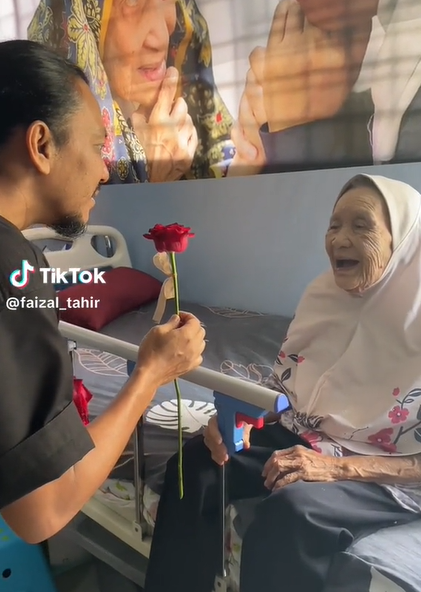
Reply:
x=334, y=15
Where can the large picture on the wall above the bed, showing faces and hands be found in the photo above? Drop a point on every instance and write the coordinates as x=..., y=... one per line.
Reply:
x=195, y=89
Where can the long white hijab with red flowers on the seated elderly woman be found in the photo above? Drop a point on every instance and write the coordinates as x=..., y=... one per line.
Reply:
x=352, y=364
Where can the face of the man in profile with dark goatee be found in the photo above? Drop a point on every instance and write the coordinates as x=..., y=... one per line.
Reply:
x=76, y=169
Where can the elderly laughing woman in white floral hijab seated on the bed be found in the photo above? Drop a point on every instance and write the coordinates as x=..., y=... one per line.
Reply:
x=345, y=461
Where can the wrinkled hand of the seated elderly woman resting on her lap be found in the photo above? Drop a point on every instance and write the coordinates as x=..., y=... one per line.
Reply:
x=300, y=464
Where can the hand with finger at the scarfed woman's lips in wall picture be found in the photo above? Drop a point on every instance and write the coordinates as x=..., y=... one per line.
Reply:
x=168, y=137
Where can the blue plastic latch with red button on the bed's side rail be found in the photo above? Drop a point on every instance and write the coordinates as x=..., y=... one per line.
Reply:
x=233, y=413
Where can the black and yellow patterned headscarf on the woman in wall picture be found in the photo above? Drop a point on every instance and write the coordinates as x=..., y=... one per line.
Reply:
x=77, y=29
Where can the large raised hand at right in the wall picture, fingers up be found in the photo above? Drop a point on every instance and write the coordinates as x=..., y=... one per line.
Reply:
x=306, y=73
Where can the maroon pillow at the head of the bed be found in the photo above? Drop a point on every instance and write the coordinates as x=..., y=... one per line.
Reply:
x=125, y=289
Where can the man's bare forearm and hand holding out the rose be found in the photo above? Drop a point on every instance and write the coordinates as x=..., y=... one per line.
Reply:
x=167, y=351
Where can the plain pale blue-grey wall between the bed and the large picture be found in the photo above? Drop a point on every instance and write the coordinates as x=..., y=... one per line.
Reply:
x=259, y=240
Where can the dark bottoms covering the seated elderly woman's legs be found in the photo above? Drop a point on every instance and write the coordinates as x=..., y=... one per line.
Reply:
x=292, y=539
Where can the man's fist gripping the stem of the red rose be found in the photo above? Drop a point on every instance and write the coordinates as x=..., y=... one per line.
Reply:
x=172, y=349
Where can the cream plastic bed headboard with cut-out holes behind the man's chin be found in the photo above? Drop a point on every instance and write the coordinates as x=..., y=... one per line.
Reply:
x=81, y=252
